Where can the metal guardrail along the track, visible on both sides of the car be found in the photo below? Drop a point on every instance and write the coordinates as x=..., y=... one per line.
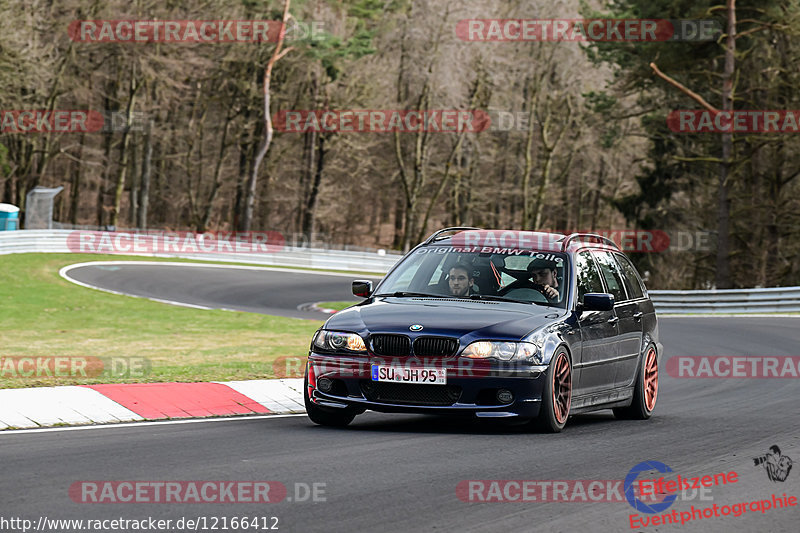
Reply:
x=772, y=300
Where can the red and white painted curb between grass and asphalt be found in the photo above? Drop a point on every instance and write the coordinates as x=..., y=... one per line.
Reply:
x=112, y=403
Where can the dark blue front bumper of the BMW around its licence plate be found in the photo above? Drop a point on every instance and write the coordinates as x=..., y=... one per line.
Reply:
x=471, y=388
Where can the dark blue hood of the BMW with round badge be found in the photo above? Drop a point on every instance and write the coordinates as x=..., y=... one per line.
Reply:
x=446, y=317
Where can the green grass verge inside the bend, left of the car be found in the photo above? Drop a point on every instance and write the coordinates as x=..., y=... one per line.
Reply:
x=43, y=315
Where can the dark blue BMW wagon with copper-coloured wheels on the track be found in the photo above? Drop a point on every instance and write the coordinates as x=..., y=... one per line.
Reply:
x=492, y=324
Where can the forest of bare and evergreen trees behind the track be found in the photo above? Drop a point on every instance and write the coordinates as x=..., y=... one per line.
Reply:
x=584, y=143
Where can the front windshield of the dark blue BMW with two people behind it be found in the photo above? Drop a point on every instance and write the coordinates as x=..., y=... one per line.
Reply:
x=441, y=271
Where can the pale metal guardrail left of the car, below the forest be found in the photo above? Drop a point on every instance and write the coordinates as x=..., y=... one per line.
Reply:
x=55, y=241
